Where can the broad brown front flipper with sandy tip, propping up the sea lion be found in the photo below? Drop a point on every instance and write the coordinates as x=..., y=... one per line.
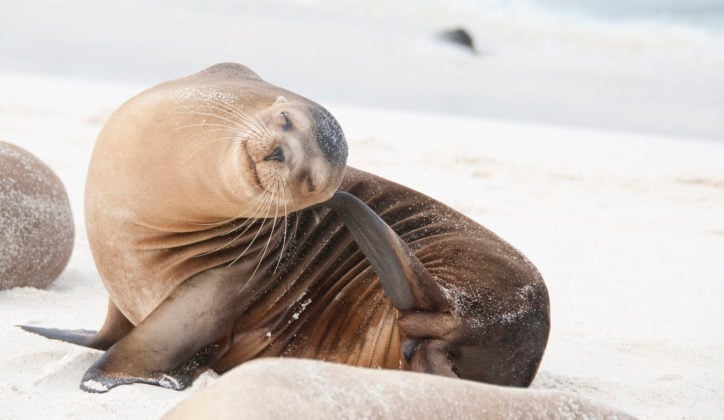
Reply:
x=186, y=333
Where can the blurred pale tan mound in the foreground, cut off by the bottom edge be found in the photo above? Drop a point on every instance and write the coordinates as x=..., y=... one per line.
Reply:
x=296, y=388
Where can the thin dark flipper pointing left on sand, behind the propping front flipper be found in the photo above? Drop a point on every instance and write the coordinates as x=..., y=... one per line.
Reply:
x=114, y=328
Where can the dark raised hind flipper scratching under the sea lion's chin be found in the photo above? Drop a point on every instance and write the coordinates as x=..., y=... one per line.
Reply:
x=404, y=278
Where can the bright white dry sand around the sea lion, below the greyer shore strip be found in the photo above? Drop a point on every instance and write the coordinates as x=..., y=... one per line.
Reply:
x=626, y=229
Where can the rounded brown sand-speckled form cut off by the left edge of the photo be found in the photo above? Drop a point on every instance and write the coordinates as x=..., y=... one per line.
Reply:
x=36, y=224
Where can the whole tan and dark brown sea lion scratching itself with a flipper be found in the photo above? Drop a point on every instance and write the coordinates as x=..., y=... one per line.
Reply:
x=219, y=212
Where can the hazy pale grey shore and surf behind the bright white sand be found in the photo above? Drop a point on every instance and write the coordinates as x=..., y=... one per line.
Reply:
x=650, y=66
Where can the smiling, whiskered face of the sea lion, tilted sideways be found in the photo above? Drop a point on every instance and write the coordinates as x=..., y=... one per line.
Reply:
x=297, y=153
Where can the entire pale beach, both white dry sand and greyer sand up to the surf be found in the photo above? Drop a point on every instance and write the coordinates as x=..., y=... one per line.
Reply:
x=627, y=229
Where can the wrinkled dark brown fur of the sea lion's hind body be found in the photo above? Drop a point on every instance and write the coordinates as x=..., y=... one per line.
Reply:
x=326, y=302
